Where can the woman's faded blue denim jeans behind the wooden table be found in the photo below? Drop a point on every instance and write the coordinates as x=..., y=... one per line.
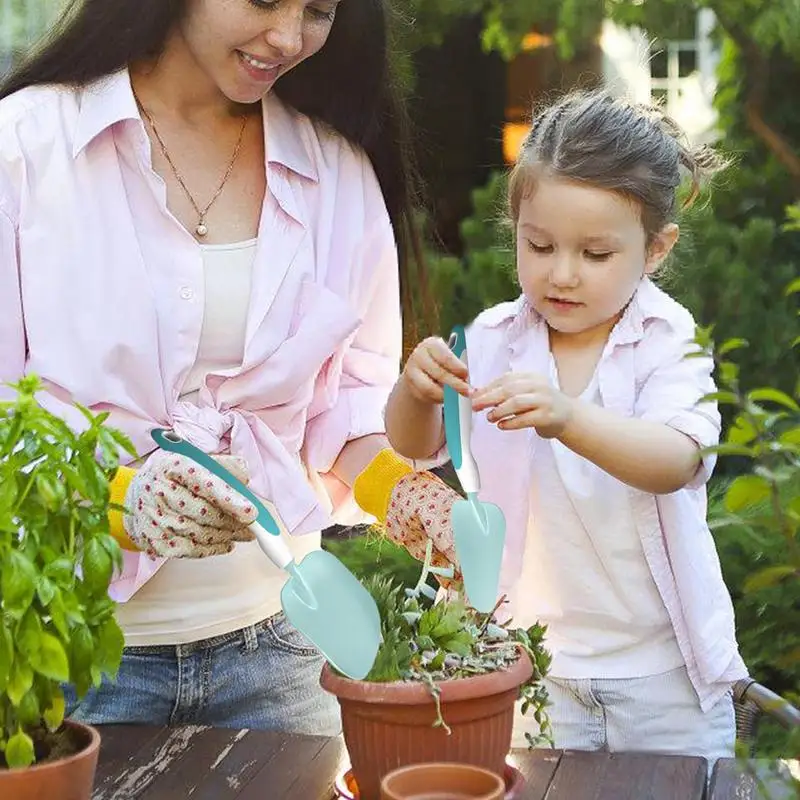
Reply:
x=263, y=677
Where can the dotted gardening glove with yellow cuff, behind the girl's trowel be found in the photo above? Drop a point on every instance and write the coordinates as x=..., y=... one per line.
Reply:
x=413, y=507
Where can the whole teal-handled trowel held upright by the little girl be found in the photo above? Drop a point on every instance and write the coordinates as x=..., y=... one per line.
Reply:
x=479, y=528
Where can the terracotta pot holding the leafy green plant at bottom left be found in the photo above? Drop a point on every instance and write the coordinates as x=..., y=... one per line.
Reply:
x=69, y=778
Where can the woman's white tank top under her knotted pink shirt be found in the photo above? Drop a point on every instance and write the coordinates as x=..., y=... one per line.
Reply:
x=191, y=599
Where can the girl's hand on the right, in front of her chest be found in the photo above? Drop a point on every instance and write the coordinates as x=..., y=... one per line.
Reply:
x=524, y=400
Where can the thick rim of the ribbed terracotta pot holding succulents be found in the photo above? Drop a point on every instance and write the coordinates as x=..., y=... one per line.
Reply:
x=416, y=693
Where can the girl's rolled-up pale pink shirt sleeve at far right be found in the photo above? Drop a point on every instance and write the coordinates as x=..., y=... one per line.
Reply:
x=673, y=391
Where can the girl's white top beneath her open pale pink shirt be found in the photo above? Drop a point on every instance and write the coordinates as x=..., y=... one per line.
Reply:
x=584, y=572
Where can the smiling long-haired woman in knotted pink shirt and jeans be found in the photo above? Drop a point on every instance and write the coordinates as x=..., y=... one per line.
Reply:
x=199, y=205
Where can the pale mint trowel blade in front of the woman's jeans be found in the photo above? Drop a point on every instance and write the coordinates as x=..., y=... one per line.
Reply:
x=328, y=605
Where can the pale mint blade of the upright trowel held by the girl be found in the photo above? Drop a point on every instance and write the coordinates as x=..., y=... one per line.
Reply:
x=479, y=541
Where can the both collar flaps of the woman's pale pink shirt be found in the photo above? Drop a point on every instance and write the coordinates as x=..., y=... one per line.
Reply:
x=110, y=100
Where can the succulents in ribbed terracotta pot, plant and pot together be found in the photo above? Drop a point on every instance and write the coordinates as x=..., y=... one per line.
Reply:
x=442, y=688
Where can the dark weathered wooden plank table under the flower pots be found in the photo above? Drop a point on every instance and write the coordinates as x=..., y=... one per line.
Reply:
x=146, y=763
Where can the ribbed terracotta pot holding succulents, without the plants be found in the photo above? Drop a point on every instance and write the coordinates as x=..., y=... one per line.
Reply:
x=390, y=725
